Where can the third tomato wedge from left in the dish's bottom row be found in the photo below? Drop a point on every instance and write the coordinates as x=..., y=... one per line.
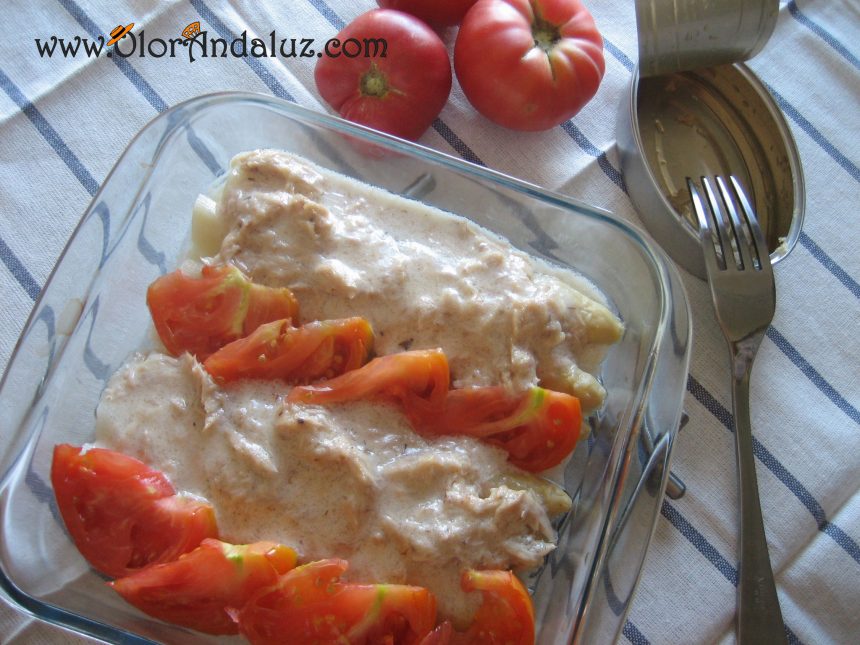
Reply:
x=312, y=605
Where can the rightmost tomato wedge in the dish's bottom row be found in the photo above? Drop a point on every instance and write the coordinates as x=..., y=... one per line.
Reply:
x=506, y=614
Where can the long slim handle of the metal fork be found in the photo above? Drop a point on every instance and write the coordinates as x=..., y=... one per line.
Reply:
x=759, y=619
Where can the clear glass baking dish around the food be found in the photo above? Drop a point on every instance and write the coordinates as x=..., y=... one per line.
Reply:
x=92, y=315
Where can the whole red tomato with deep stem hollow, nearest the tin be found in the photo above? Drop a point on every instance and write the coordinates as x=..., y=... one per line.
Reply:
x=529, y=64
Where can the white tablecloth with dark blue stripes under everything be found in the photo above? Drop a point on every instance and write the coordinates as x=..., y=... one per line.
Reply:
x=64, y=122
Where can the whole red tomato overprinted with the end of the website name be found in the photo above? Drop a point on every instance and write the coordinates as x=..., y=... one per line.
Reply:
x=402, y=88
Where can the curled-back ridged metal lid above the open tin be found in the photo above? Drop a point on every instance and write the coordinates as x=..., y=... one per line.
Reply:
x=678, y=35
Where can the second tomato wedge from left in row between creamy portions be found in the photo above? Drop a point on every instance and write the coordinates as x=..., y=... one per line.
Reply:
x=276, y=350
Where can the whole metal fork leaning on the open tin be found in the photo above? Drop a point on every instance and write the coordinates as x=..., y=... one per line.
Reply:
x=744, y=295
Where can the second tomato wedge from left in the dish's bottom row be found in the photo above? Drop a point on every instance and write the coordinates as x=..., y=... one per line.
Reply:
x=197, y=589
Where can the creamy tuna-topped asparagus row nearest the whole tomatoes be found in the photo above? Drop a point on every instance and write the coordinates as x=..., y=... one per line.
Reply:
x=422, y=278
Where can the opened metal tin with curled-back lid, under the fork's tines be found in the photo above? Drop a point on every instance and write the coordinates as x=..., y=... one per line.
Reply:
x=699, y=112
